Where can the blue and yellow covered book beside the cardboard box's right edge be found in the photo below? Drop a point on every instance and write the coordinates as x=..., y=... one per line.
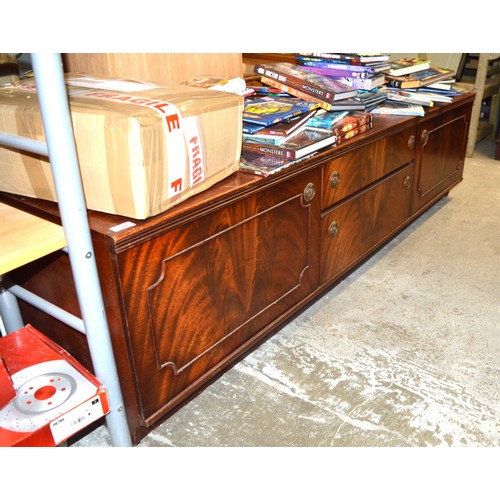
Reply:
x=268, y=110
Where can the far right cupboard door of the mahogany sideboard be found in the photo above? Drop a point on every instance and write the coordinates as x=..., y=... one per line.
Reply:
x=442, y=142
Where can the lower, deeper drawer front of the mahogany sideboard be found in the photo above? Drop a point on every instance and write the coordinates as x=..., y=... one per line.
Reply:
x=355, y=228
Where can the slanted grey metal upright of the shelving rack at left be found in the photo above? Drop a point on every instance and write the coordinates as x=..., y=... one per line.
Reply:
x=63, y=158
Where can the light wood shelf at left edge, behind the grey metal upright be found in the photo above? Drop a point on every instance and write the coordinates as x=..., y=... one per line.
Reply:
x=24, y=238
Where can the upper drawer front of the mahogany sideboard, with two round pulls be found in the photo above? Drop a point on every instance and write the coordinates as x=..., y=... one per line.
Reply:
x=353, y=171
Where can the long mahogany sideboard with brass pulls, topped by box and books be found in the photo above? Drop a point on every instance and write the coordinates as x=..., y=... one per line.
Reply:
x=189, y=291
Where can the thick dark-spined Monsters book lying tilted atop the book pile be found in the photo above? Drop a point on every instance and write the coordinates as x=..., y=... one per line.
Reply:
x=298, y=77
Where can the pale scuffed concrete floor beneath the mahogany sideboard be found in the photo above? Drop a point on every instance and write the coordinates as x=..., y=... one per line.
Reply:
x=405, y=352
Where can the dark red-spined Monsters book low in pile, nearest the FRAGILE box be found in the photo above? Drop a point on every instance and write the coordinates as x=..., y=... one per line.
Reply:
x=304, y=143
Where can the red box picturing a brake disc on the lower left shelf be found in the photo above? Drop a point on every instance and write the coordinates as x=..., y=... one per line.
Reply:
x=51, y=396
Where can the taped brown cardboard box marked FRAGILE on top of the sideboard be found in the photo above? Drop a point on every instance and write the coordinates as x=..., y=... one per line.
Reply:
x=142, y=148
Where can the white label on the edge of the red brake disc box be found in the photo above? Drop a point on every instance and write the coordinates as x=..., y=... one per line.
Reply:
x=76, y=419
